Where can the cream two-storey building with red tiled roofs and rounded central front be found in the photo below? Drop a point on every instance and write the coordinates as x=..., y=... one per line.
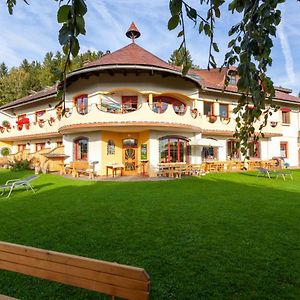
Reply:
x=132, y=108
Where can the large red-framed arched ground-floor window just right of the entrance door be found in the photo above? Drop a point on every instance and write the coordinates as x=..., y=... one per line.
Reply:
x=174, y=149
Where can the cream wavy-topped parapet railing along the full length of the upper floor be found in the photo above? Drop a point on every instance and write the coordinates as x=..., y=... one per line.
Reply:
x=142, y=115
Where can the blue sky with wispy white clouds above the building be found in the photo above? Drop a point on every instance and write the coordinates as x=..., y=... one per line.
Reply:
x=32, y=31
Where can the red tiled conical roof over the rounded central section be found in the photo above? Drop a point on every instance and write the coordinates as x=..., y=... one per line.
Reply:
x=131, y=54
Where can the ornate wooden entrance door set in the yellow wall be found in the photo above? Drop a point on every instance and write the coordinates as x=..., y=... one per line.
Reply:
x=130, y=154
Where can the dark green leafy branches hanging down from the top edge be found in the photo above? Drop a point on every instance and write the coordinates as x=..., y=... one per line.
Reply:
x=249, y=48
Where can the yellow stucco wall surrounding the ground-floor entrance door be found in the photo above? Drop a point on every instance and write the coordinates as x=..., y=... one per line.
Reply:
x=117, y=137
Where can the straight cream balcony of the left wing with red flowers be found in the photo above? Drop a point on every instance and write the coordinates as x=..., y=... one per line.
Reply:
x=26, y=130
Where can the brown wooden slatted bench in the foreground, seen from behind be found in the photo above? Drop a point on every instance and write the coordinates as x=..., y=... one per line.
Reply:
x=104, y=277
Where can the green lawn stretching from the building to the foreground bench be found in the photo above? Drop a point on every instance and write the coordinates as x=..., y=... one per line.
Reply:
x=222, y=236
